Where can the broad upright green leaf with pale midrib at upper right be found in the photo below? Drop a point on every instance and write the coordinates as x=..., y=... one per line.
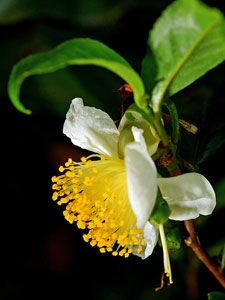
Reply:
x=186, y=42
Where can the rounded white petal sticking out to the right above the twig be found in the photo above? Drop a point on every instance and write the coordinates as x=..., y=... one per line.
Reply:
x=188, y=195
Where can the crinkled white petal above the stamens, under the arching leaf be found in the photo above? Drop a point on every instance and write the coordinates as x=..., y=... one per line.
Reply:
x=91, y=129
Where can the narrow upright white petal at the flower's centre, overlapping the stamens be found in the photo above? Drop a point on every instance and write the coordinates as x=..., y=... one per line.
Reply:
x=141, y=178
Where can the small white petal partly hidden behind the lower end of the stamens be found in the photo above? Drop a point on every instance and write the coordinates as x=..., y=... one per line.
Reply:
x=151, y=237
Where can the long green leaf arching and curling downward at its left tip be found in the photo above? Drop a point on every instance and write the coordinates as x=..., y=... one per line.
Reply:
x=74, y=52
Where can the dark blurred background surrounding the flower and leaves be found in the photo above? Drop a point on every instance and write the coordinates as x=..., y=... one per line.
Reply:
x=42, y=256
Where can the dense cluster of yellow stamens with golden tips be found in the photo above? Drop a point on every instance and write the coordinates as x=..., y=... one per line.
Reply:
x=96, y=198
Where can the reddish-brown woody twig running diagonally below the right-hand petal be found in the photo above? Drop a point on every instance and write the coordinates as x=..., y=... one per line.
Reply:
x=193, y=242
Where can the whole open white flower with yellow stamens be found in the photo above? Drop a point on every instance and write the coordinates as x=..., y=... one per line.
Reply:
x=112, y=197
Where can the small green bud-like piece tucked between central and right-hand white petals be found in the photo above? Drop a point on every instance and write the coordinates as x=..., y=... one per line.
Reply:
x=161, y=211
